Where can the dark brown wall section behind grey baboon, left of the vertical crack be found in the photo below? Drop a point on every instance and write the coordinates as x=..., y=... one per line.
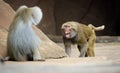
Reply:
x=47, y=24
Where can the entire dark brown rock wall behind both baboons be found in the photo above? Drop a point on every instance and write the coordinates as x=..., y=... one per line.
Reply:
x=56, y=12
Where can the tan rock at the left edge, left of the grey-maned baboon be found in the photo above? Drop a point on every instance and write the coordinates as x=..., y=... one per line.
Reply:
x=6, y=15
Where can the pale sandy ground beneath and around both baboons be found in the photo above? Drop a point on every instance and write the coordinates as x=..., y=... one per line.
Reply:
x=107, y=60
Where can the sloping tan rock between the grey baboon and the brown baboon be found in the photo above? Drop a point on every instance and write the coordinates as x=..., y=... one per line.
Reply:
x=49, y=49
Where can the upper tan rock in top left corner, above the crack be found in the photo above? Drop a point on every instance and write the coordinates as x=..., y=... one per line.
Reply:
x=6, y=15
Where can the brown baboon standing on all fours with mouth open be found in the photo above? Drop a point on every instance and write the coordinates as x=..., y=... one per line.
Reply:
x=82, y=35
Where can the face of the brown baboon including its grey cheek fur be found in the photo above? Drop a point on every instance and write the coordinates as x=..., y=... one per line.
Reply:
x=68, y=32
